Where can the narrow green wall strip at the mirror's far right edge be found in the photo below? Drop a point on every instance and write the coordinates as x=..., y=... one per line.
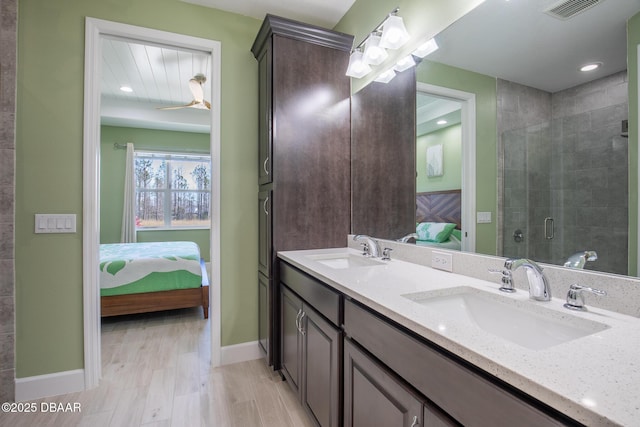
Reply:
x=633, y=40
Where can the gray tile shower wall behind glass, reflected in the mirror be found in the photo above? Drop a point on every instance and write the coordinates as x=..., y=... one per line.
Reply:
x=576, y=170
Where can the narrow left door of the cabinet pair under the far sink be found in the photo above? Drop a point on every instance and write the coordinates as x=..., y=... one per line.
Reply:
x=290, y=337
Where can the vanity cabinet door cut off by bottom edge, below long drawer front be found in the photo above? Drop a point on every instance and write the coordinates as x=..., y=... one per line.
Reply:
x=372, y=395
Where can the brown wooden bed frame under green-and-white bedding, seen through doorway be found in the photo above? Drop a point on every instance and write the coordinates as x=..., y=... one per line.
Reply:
x=117, y=305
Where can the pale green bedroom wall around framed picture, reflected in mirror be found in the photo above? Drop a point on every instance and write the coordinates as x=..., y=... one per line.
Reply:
x=451, y=179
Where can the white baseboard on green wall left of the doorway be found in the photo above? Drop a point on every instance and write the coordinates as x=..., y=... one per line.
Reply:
x=39, y=386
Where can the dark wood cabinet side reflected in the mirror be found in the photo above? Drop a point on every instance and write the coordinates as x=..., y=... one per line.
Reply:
x=384, y=158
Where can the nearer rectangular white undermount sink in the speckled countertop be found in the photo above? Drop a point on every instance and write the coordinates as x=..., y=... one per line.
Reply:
x=524, y=323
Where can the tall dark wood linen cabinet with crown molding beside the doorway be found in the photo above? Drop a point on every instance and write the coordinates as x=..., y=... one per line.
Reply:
x=304, y=175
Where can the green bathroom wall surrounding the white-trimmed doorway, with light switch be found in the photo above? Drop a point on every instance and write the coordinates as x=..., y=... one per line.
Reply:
x=49, y=147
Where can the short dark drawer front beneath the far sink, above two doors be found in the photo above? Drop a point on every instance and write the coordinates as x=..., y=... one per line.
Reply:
x=323, y=299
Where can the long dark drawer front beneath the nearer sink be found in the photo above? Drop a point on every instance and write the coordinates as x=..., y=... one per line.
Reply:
x=464, y=392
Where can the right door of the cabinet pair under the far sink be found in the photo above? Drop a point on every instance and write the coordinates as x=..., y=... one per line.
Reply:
x=321, y=368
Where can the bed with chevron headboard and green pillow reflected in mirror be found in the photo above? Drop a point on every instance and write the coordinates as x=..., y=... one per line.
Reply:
x=439, y=219
